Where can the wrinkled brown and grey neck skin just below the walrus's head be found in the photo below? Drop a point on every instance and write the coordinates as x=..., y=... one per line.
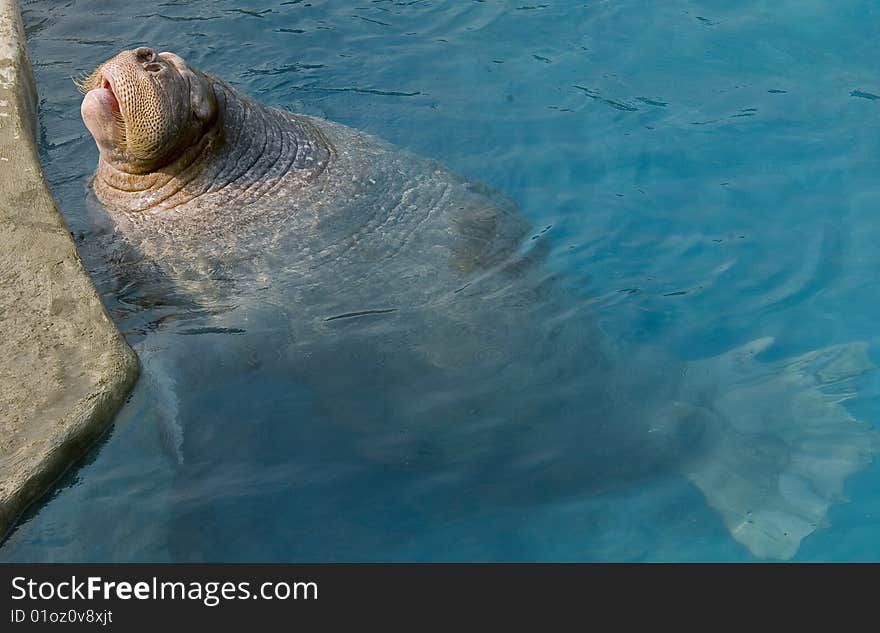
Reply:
x=241, y=155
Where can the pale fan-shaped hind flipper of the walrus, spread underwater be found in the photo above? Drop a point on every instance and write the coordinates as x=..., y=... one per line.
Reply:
x=780, y=443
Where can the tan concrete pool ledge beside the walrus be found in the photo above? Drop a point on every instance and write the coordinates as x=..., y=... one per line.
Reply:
x=64, y=367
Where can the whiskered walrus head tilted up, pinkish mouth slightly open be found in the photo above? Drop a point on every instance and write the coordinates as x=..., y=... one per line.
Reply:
x=143, y=109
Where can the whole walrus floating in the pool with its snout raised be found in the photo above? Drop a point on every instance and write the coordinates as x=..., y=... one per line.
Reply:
x=419, y=310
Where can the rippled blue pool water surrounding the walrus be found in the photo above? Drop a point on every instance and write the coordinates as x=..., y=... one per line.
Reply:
x=709, y=173
